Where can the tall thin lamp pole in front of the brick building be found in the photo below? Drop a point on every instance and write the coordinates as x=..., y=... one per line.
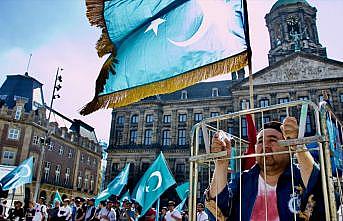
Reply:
x=58, y=78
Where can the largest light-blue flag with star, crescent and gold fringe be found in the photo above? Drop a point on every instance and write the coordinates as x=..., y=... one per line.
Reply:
x=160, y=46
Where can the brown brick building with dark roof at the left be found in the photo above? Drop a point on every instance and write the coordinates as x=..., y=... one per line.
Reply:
x=71, y=162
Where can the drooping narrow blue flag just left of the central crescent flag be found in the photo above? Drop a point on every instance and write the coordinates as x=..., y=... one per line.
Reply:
x=115, y=186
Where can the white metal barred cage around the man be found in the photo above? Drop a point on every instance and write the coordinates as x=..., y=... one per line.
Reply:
x=319, y=130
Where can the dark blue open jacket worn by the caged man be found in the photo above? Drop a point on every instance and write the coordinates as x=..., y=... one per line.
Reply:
x=228, y=199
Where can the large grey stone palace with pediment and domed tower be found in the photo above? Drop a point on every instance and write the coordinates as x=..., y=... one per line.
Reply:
x=163, y=122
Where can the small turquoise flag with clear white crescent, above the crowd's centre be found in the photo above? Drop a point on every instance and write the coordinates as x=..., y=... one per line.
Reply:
x=155, y=181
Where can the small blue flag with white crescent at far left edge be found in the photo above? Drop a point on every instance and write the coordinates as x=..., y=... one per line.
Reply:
x=20, y=175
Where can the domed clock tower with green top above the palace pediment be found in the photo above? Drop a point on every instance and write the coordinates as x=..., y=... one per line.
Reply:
x=292, y=28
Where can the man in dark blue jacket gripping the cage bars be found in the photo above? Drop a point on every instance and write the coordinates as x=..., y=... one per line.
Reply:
x=269, y=181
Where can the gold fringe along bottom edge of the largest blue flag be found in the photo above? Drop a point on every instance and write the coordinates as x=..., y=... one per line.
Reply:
x=125, y=97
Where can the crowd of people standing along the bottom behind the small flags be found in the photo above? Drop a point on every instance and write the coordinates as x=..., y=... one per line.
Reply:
x=85, y=210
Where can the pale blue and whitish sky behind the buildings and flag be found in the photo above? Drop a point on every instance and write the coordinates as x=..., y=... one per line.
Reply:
x=58, y=34
